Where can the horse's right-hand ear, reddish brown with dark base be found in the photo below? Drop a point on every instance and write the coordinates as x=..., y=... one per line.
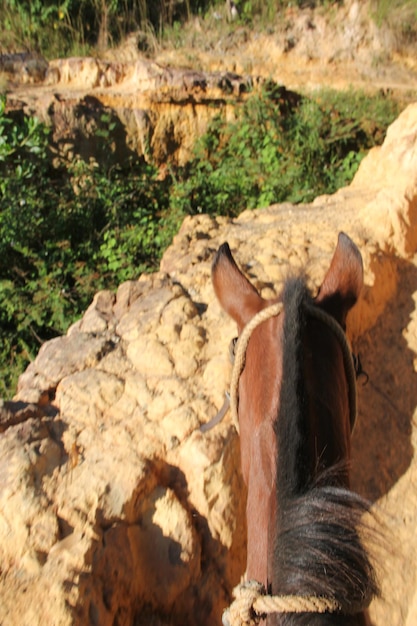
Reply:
x=344, y=280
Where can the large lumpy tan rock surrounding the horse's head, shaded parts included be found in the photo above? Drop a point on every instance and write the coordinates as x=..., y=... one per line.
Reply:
x=114, y=507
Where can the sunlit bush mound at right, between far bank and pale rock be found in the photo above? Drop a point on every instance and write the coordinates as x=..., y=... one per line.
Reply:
x=275, y=152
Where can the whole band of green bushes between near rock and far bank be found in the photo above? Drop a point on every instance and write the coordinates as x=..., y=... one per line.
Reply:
x=66, y=232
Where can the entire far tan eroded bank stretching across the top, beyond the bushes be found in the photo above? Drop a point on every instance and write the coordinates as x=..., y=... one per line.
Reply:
x=147, y=107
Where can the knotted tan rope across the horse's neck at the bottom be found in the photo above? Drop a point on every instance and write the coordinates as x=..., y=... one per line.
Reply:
x=251, y=604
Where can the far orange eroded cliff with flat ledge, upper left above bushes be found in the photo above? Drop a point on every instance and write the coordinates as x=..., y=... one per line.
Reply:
x=141, y=106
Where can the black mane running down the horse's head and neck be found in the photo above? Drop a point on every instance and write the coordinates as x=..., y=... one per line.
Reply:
x=318, y=549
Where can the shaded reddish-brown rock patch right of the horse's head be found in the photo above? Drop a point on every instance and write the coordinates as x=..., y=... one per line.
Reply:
x=381, y=447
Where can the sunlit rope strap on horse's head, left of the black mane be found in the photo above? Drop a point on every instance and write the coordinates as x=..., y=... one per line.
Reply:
x=240, y=354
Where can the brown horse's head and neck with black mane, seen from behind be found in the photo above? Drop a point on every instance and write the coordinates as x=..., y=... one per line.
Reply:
x=295, y=399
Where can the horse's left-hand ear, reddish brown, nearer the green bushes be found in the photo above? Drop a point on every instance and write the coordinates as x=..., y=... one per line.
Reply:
x=237, y=296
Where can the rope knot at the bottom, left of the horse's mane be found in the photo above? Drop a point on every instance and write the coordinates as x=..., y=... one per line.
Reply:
x=241, y=611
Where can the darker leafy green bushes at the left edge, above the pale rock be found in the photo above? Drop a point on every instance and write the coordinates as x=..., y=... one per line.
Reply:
x=64, y=234
